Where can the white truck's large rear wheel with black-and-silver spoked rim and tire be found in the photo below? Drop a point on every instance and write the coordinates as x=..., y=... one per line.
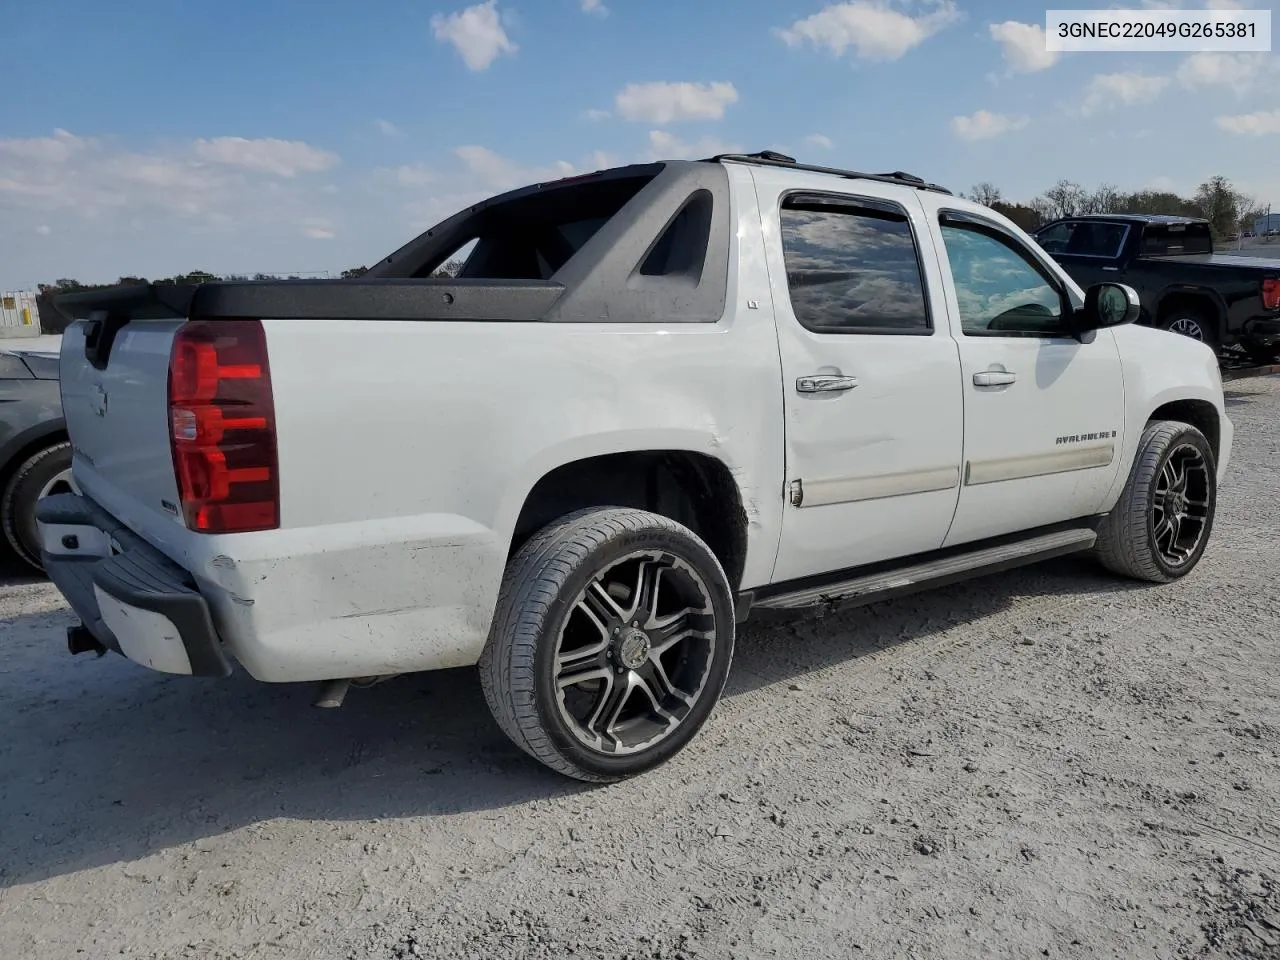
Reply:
x=564, y=592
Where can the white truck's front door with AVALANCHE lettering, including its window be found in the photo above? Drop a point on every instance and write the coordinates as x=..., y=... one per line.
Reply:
x=1044, y=422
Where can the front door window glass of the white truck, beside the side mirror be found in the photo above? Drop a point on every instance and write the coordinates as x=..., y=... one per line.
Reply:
x=999, y=290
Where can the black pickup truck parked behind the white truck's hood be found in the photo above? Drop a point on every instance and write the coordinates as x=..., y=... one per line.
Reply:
x=1229, y=303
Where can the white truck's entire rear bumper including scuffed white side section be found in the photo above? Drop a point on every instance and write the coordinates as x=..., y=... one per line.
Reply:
x=374, y=598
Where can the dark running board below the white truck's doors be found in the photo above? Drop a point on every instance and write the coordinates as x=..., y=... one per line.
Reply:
x=938, y=573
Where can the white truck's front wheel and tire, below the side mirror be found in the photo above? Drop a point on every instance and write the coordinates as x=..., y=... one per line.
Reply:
x=1133, y=540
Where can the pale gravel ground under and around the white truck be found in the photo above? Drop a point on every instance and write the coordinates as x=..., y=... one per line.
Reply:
x=1041, y=764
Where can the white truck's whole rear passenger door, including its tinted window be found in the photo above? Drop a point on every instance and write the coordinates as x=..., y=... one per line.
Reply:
x=871, y=376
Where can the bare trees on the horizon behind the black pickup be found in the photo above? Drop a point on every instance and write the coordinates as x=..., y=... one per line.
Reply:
x=1228, y=211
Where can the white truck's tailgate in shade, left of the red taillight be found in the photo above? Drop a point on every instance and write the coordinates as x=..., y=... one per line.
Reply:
x=117, y=414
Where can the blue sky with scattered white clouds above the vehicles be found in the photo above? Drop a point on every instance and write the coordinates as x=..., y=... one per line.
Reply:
x=284, y=136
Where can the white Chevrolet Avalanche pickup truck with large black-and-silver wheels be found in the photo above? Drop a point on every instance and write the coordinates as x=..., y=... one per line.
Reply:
x=655, y=399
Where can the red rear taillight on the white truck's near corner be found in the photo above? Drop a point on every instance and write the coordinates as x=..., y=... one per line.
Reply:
x=222, y=427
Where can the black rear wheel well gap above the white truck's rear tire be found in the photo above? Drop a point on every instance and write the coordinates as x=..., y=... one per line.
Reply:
x=691, y=488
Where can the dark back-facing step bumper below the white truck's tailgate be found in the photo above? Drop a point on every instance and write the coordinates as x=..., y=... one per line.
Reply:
x=130, y=597
